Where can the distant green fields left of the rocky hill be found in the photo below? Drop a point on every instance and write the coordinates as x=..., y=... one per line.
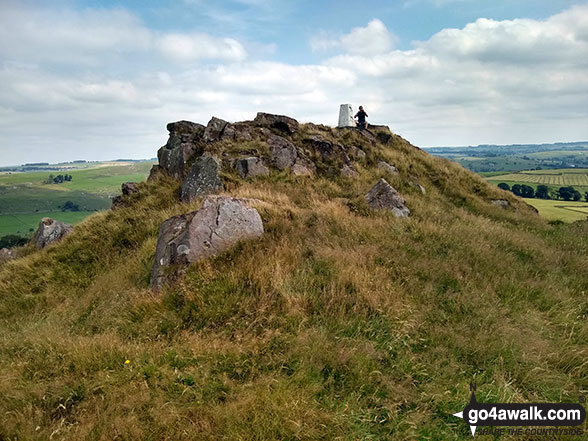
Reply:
x=25, y=200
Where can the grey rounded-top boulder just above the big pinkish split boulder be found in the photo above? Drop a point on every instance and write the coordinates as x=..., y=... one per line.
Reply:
x=202, y=179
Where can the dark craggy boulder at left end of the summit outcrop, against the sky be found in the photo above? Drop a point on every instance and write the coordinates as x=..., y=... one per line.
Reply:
x=184, y=142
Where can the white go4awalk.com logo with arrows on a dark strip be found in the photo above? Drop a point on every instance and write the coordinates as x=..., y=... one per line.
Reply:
x=533, y=414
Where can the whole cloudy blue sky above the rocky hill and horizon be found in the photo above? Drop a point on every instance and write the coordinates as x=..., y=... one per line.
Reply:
x=99, y=80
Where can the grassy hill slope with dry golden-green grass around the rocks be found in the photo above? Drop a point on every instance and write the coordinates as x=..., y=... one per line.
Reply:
x=339, y=323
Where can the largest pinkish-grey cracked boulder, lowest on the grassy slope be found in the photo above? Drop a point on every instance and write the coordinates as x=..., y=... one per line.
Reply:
x=219, y=224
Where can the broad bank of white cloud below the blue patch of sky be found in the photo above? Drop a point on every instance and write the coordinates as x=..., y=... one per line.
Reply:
x=101, y=84
